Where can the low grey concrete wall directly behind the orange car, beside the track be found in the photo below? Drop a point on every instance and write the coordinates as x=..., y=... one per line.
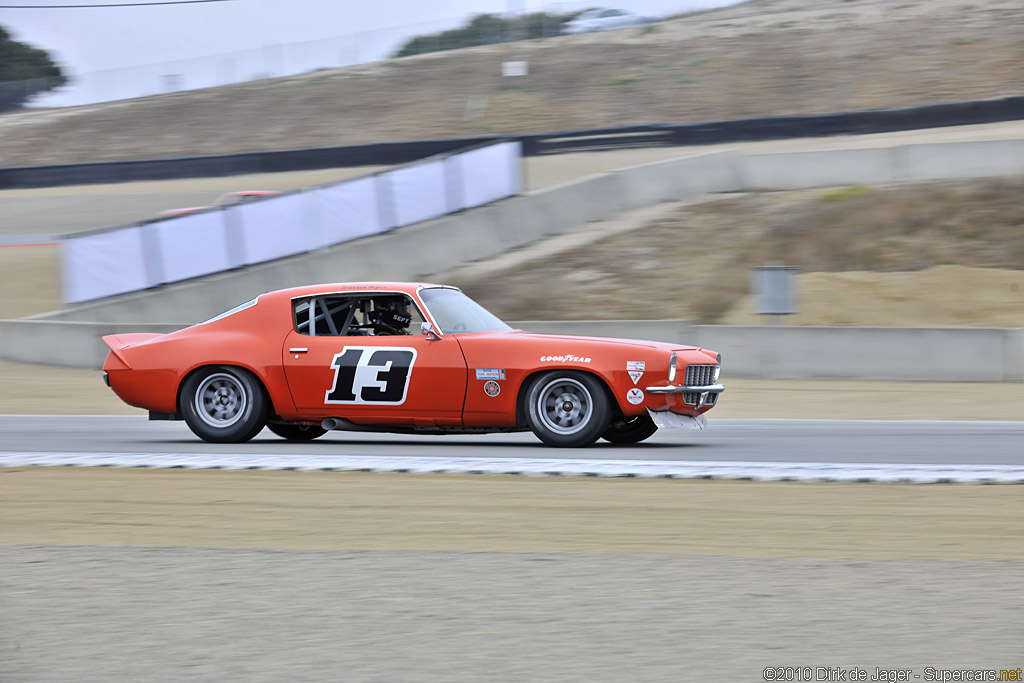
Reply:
x=781, y=353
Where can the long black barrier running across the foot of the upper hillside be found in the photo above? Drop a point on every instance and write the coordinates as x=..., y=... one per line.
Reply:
x=762, y=129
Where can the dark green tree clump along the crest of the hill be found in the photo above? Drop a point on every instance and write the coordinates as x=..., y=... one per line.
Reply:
x=487, y=30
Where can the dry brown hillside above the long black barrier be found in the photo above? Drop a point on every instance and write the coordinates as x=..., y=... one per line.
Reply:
x=761, y=58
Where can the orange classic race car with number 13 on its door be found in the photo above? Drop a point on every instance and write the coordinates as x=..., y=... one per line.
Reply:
x=409, y=359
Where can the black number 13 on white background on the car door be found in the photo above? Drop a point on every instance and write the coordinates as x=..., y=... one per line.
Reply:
x=375, y=375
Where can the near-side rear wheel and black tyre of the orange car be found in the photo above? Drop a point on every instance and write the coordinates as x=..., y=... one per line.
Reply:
x=224, y=405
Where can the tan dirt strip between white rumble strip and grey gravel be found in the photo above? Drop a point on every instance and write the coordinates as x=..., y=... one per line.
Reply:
x=95, y=506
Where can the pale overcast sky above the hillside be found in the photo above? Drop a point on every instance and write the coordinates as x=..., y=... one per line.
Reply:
x=162, y=47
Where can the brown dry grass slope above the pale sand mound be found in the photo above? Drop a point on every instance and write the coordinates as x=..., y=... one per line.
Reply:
x=695, y=264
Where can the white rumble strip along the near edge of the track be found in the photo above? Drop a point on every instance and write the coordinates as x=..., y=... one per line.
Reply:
x=870, y=473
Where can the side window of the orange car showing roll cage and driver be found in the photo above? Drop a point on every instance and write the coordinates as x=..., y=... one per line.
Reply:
x=377, y=316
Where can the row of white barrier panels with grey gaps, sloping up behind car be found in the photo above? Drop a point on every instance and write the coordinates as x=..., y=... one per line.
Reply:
x=103, y=265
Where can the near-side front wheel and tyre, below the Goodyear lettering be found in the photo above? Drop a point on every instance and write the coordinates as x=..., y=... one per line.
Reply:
x=568, y=409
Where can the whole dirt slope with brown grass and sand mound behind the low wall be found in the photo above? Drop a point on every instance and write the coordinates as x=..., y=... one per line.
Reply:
x=919, y=255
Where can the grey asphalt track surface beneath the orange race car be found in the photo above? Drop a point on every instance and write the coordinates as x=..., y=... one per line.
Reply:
x=913, y=443
